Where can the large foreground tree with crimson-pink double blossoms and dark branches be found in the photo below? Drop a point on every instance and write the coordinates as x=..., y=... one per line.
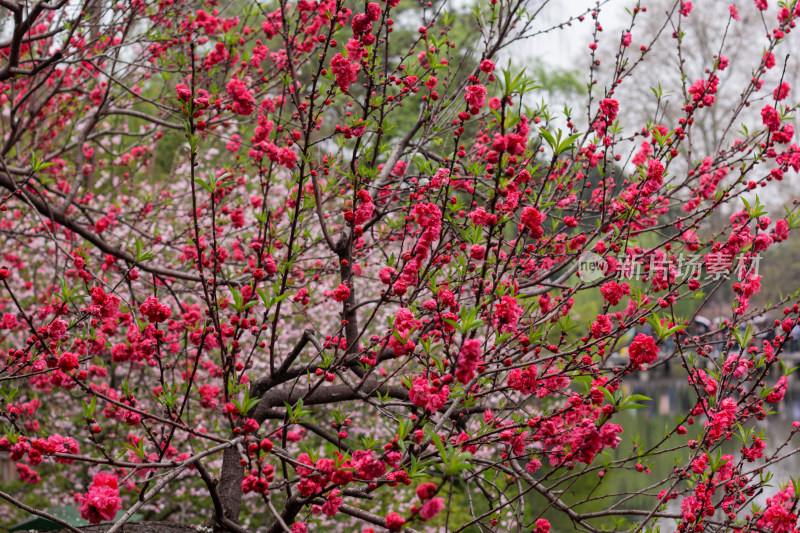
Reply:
x=312, y=264
